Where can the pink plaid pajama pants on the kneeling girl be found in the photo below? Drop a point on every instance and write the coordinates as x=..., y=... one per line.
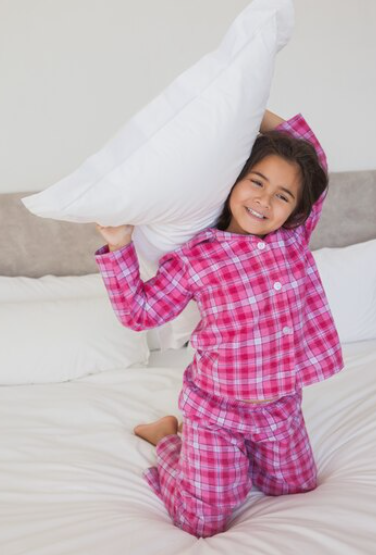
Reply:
x=225, y=448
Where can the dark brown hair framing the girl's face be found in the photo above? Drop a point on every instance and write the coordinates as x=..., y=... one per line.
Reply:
x=314, y=179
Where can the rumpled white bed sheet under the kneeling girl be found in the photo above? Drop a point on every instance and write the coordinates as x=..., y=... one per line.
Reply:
x=70, y=469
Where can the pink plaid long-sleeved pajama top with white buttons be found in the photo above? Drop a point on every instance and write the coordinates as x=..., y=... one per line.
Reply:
x=266, y=328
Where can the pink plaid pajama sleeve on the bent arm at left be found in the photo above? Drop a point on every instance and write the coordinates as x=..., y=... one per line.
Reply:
x=143, y=305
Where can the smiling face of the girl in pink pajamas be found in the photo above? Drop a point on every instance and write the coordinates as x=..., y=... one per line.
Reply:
x=265, y=198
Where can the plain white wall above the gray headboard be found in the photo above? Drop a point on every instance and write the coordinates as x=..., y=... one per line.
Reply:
x=73, y=71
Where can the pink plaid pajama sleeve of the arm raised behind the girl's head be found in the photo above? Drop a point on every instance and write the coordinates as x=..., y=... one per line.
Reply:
x=299, y=128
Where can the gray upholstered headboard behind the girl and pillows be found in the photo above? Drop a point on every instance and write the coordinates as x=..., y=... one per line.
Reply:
x=33, y=247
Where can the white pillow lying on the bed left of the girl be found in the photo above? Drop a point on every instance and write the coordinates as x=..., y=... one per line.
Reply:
x=55, y=329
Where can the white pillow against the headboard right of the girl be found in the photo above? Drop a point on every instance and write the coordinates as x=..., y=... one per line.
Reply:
x=349, y=278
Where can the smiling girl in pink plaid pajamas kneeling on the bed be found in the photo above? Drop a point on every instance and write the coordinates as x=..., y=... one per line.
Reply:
x=266, y=331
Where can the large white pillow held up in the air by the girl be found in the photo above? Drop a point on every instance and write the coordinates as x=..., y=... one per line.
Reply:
x=170, y=168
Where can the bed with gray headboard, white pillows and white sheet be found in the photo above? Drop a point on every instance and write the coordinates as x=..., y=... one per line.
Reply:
x=70, y=395
